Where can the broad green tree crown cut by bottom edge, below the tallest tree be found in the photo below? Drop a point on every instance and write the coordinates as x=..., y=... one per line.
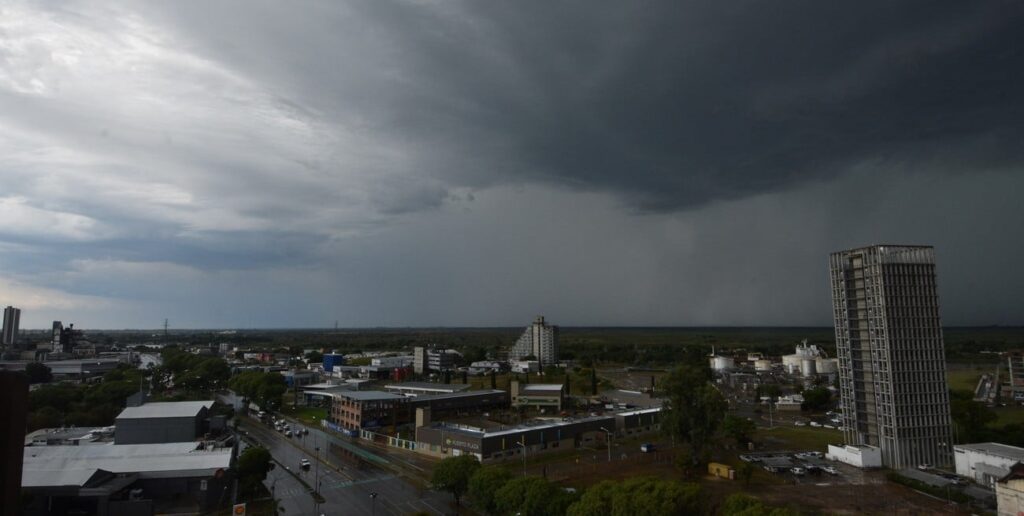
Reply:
x=646, y=496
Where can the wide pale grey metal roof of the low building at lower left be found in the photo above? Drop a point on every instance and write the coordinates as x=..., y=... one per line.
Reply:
x=56, y=466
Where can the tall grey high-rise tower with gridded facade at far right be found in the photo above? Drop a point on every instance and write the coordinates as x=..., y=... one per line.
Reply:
x=892, y=364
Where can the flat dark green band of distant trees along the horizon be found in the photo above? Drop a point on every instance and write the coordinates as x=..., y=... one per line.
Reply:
x=634, y=347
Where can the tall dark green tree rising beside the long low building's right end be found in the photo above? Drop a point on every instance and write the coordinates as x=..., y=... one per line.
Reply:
x=694, y=409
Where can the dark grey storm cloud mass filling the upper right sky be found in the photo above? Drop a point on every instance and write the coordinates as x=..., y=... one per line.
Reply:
x=671, y=104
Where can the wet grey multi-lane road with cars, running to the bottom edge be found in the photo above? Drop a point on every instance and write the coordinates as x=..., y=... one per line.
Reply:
x=348, y=477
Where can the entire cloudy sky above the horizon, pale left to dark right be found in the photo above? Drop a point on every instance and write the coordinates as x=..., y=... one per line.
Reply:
x=383, y=163
